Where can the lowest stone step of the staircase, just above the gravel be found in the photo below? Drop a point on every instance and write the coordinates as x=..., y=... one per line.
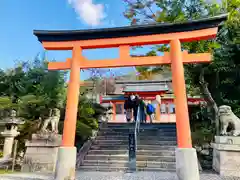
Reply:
x=121, y=169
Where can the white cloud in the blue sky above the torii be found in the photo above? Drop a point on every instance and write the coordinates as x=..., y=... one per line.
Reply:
x=92, y=14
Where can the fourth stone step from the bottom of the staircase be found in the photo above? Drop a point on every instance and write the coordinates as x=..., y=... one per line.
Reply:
x=139, y=152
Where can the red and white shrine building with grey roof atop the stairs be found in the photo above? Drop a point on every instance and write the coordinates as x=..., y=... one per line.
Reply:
x=147, y=90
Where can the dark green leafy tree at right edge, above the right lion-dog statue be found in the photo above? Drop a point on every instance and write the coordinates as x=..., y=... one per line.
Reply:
x=226, y=66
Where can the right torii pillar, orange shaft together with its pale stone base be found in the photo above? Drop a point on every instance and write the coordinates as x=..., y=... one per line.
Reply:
x=186, y=156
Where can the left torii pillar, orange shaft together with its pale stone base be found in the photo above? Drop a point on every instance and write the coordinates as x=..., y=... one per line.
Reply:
x=66, y=160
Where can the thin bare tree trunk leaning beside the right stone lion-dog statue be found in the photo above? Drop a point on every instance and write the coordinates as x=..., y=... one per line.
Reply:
x=210, y=100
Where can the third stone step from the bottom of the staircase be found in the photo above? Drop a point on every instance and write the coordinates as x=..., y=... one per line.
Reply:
x=125, y=157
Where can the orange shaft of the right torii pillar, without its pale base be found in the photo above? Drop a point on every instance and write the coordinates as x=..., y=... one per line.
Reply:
x=180, y=100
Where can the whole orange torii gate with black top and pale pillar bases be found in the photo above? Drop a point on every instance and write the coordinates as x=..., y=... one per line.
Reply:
x=123, y=38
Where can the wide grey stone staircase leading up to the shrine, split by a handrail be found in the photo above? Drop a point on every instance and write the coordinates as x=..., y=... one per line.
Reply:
x=155, y=150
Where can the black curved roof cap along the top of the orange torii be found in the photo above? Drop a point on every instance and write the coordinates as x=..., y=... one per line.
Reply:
x=136, y=30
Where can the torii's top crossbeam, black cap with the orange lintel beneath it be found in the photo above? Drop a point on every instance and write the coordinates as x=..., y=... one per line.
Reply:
x=131, y=35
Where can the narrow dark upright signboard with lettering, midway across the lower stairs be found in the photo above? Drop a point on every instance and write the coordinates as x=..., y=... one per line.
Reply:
x=132, y=151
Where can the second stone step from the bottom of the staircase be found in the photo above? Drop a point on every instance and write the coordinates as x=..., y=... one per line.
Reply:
x=141, y=164
